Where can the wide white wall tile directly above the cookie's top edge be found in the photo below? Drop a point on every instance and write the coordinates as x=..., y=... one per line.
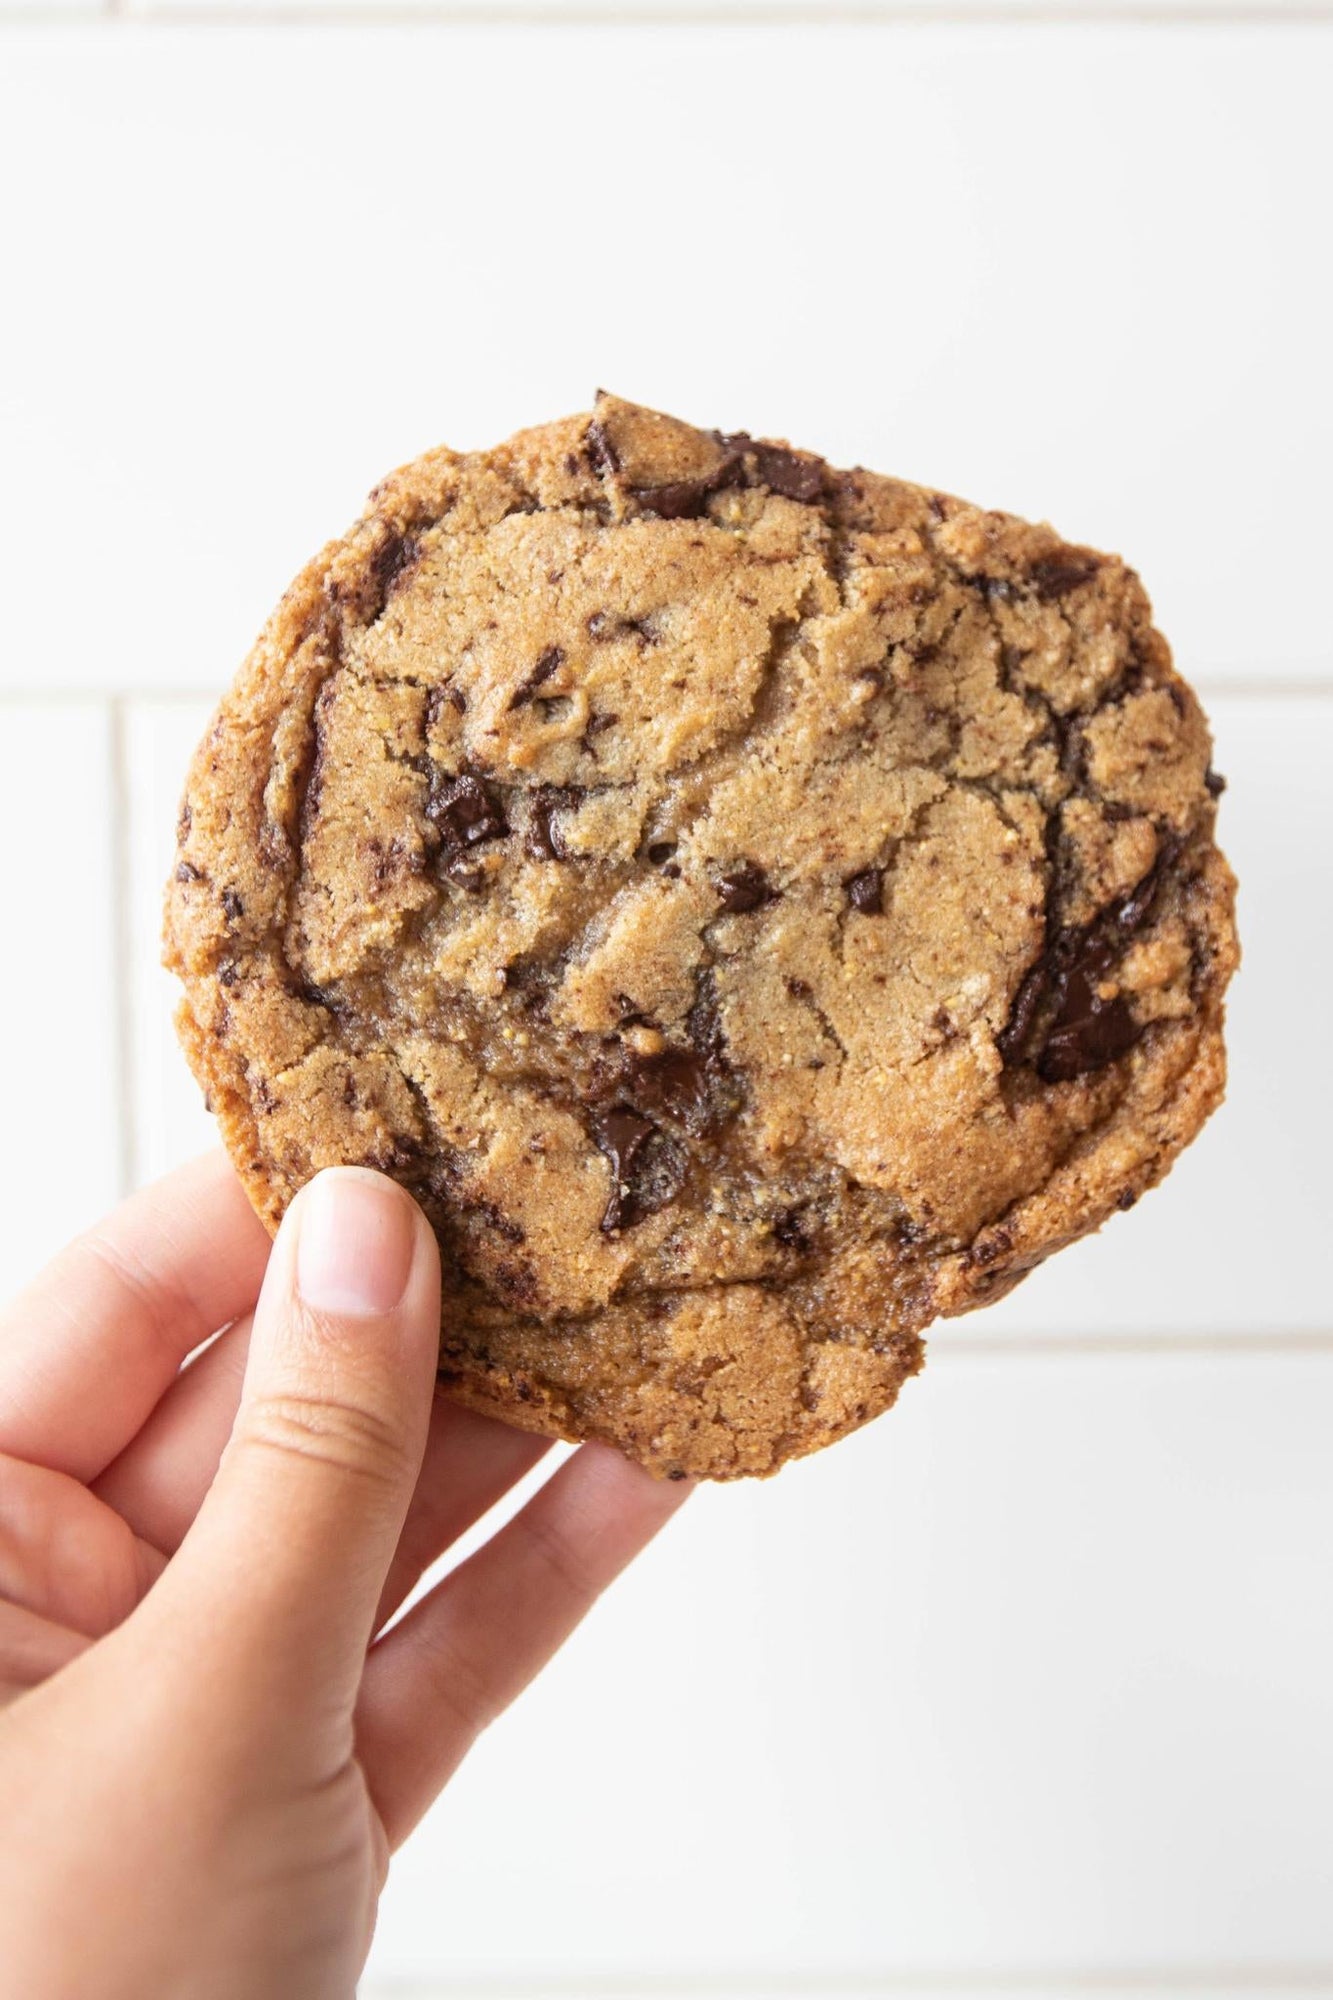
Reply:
x=1058, y=271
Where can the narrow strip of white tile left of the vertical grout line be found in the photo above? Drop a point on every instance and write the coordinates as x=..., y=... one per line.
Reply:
x=59, y=1011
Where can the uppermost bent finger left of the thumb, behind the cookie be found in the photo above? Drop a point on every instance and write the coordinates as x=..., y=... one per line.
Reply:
x=93, y=1343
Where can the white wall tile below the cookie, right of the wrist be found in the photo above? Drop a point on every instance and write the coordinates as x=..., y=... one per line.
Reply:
x=1024, y=1683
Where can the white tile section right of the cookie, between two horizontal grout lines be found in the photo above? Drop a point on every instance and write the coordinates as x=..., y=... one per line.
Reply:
x=1234, y=1243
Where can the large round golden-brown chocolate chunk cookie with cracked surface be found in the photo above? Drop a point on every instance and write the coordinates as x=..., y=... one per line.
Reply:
x=754, y=907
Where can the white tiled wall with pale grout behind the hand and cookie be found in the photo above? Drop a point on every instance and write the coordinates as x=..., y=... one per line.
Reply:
x=1028, y=1689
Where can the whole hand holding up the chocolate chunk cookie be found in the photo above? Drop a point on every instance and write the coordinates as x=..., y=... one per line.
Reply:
x=209, y=1743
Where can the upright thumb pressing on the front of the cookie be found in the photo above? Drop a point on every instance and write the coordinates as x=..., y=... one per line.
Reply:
x=291, y=1547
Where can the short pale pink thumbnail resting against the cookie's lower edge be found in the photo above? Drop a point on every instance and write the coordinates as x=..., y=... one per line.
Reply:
x=355, y=1247
